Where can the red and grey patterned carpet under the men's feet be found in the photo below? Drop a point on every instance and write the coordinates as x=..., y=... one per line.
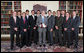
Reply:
x=5, y=47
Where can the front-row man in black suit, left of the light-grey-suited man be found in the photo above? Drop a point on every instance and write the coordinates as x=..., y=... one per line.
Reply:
x=33, y=27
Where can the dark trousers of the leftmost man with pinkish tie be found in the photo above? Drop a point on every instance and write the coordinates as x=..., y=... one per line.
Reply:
x=12, y=33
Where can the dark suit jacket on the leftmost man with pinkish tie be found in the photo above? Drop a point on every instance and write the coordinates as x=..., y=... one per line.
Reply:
x=12, y=23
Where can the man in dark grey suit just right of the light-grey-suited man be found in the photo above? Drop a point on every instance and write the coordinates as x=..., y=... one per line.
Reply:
x=51, y=22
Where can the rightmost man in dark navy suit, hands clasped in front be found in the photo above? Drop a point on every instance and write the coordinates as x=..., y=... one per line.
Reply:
x=75, y=28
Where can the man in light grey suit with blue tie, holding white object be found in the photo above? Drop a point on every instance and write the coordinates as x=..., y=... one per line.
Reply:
x=42, y=24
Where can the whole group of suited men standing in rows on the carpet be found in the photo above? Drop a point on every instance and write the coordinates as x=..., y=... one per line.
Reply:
x=33, y=28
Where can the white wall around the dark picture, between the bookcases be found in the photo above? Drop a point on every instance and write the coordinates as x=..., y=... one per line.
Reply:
x=51, y=5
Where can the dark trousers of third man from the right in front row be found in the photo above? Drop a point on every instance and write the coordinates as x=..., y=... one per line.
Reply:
x=58, y=37
